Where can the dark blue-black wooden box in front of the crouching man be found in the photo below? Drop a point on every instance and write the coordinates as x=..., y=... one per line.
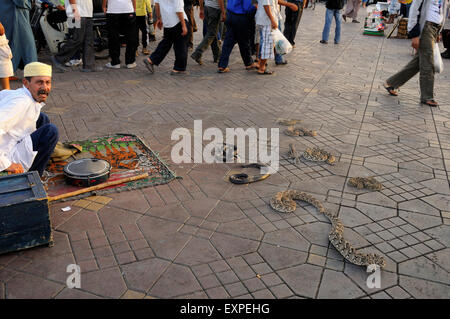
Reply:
x=24, y=217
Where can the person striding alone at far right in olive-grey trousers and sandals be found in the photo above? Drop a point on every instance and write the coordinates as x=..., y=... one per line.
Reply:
x=425, y=23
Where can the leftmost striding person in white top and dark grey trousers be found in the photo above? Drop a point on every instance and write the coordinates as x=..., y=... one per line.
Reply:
x=81, y=36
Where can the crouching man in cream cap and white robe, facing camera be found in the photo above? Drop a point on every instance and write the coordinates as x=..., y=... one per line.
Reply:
x=27, y=138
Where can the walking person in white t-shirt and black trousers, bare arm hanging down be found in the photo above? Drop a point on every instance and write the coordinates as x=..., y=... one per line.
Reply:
x=171, y=15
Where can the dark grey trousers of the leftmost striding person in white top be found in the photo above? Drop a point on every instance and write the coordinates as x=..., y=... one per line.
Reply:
x=80, y=39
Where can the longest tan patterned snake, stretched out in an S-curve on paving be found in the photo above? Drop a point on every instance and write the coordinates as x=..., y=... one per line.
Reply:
x=284, y=202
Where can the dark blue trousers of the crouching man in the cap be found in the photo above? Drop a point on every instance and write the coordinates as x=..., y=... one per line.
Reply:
x=44, y=141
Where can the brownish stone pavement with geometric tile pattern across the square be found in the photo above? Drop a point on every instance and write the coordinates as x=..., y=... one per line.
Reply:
x=202, y=237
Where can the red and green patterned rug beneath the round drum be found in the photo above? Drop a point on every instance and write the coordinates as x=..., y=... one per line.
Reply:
x=128, y=156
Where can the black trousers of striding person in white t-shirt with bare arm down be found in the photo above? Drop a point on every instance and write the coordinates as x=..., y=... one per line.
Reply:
x=172, y=36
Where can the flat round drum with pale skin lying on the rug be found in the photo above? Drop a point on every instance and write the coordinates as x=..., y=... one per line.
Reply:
x=87, y=172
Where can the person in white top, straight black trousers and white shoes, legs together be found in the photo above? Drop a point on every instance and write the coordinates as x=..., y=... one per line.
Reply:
x=121, y=19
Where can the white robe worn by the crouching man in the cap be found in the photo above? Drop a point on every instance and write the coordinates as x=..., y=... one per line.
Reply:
x=18, y=115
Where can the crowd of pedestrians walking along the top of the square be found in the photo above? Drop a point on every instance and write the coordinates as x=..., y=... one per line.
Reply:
x=247, y=23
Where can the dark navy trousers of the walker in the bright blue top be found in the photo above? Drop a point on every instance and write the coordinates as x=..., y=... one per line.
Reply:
x=238, y=31
